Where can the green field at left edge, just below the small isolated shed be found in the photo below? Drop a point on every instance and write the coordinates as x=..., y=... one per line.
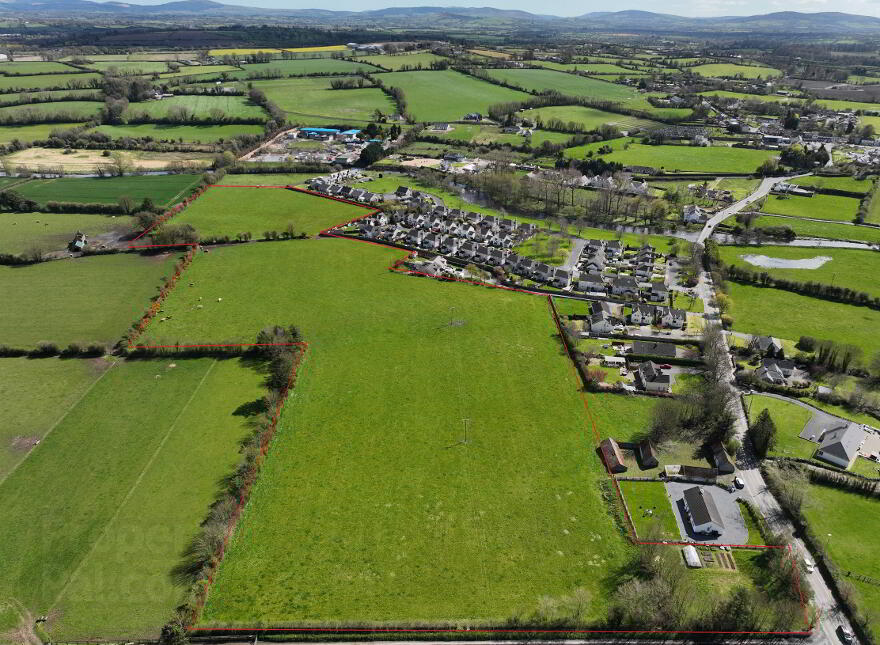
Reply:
x=92, y=299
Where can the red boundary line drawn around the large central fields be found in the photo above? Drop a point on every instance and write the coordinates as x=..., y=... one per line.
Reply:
x=396, y=267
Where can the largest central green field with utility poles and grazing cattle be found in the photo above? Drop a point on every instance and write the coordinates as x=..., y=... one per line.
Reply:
x=369, y=491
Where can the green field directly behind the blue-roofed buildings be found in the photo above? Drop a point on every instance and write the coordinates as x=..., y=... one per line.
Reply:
x=311, y=101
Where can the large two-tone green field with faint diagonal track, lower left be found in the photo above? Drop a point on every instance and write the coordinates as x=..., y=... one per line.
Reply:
x=94, y=543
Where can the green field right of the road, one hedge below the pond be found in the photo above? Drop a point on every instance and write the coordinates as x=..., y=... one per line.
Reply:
x=759, y=310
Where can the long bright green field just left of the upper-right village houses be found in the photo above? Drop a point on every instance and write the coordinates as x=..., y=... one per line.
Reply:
x=677, y=158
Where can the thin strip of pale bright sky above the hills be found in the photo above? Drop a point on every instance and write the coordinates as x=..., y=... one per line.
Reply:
x=703, y=8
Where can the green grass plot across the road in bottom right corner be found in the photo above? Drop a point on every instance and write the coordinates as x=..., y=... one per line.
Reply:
x=847, y=524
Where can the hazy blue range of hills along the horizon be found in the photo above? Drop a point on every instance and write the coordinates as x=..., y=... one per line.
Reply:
x=433, y=16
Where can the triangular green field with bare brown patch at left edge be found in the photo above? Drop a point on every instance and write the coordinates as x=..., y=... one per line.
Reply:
x=34, y=396
